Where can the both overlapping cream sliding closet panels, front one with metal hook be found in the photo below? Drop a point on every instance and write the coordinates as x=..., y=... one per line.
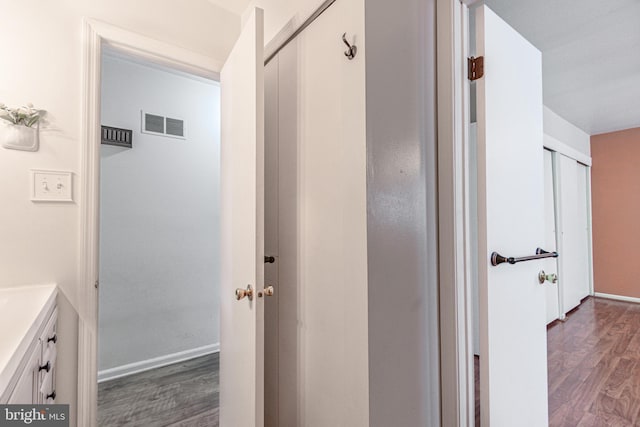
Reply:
x=316, y=141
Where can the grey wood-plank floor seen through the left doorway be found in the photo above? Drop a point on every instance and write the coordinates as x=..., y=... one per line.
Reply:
x=181, y=395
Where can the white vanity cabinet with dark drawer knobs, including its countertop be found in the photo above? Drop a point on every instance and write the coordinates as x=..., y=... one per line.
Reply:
x=28, y=364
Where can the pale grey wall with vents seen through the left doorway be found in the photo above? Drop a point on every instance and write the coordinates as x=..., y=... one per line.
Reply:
x=159, y=217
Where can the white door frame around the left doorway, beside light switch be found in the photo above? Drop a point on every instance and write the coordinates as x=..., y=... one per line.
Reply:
x=95, y=35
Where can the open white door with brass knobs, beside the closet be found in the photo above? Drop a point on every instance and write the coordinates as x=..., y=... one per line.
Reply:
x=242, y=222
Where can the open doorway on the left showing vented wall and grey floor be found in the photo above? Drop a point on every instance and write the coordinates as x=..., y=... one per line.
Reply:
x=158, y=349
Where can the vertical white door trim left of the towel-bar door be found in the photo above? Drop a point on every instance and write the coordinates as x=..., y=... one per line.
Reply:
x=457, y=378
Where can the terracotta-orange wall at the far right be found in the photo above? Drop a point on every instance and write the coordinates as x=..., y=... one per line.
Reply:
x=615, y=183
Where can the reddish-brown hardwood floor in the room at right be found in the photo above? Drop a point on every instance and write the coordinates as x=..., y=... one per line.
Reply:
x=593, y=365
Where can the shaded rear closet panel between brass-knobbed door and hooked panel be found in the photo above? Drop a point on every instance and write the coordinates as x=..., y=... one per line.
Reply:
x=282, y=221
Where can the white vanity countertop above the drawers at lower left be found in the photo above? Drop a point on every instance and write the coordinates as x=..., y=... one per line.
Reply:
x=22, y=311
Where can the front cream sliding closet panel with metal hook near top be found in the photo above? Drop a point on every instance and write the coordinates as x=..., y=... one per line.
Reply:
x=332, y=219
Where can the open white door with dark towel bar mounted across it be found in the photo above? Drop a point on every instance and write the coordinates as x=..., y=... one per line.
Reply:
x=513, y=341
